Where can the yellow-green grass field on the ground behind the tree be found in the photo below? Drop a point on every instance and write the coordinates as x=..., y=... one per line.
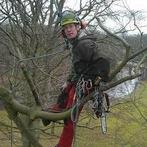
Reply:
x=127, y=126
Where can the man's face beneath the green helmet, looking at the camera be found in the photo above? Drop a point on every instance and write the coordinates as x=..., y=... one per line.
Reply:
x=71, y=30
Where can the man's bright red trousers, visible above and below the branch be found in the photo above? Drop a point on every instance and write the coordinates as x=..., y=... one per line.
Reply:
x=67, y=135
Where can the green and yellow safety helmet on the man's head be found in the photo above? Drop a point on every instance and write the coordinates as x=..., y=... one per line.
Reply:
x=69, y=17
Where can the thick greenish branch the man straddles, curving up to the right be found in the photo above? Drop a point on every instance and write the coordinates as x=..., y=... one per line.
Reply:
x=33, y=113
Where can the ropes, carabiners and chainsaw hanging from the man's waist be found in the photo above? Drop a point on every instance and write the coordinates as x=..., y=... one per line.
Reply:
x=100, y=101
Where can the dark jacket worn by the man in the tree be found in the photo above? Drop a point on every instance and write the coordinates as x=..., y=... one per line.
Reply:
x=86, y=60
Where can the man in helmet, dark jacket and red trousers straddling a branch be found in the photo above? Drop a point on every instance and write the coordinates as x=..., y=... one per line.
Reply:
x=86, y=64
